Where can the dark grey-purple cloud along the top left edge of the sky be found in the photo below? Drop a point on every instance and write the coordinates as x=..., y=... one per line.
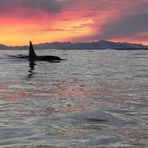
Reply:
x=51, y=6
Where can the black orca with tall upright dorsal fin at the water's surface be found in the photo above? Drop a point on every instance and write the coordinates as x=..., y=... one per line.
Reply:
x=33, y=57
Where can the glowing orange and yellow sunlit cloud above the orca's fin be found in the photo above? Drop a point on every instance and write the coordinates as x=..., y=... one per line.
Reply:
x=17, y=30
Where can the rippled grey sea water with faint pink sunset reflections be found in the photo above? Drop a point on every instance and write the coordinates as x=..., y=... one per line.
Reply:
x=95, y=99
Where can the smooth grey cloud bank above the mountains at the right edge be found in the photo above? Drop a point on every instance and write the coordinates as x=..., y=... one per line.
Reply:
x=126, y=26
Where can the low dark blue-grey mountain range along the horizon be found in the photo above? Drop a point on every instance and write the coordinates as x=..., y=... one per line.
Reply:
x=102, y=44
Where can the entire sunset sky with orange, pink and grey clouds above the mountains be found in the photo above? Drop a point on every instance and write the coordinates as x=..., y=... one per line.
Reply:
x=73, y=20
